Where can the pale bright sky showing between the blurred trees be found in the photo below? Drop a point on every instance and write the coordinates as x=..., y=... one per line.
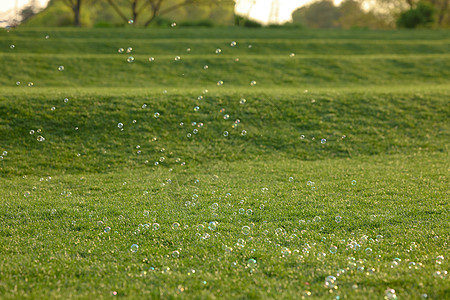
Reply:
x=265, y=11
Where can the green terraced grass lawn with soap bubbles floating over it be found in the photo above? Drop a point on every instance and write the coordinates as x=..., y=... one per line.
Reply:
x=333, y=163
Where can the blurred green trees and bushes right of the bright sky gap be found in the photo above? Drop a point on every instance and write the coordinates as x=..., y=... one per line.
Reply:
x=375, y=14
